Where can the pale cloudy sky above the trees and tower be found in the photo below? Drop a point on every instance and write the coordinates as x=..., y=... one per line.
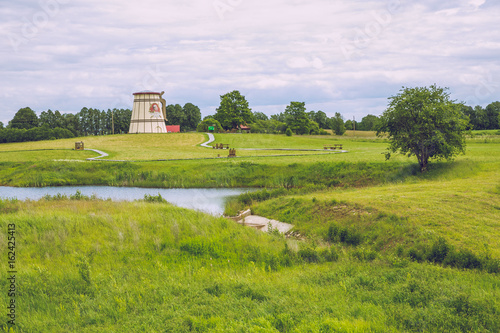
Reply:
x=336, y=56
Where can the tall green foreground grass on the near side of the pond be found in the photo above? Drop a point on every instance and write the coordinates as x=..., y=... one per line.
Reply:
x=91, y=265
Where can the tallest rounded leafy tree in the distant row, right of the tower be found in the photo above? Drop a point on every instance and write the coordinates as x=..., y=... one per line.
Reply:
x=233, y=110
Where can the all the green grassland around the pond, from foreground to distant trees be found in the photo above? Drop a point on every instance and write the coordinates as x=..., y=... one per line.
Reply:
x=377, y=246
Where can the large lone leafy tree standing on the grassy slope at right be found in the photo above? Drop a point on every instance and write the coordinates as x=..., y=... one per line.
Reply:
x=425, y=123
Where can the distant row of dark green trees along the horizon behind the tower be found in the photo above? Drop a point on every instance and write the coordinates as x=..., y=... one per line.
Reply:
x=232, y=113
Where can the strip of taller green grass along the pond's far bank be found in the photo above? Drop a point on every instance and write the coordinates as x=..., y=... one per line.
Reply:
x=212, y=173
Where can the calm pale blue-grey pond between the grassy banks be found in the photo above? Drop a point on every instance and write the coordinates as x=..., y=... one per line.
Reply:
x=209, y=200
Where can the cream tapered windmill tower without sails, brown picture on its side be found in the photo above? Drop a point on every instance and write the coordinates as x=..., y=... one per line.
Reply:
x=148, y=113
